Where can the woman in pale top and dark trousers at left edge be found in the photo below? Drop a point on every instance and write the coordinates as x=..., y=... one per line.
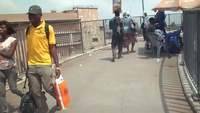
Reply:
x=8, y=72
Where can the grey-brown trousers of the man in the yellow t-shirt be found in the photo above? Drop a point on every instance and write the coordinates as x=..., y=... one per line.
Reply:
x=40, y=76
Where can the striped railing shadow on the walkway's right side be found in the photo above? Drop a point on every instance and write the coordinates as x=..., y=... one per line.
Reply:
x=173, y=98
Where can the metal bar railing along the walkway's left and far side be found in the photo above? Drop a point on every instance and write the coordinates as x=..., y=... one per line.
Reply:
x=76, y=37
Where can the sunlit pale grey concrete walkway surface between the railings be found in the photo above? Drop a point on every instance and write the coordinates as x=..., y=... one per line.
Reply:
x=130, y=85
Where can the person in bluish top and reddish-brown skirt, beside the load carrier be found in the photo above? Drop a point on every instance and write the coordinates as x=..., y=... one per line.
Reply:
x=129, y=32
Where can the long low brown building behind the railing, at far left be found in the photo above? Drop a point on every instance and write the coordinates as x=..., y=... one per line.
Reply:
x=67, y=29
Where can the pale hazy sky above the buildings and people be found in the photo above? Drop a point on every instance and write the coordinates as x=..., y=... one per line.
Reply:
x=134, y=7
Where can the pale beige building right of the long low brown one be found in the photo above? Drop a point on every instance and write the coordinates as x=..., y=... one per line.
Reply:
x=92, y=28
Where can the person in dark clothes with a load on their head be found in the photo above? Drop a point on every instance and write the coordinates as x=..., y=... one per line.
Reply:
x=116, y=25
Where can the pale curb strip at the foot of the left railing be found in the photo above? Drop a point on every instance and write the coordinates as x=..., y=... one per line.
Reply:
x=67, y=59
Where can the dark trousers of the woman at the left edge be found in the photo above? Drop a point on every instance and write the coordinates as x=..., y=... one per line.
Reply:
x=11, y=76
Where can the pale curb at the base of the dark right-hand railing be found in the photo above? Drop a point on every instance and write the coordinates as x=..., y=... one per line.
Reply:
x=186, y=85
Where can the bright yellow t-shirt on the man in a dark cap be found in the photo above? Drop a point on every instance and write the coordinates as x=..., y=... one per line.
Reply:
x=38, y=45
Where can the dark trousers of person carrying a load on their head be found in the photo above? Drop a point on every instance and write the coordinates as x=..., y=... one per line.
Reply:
x=117, y=41
